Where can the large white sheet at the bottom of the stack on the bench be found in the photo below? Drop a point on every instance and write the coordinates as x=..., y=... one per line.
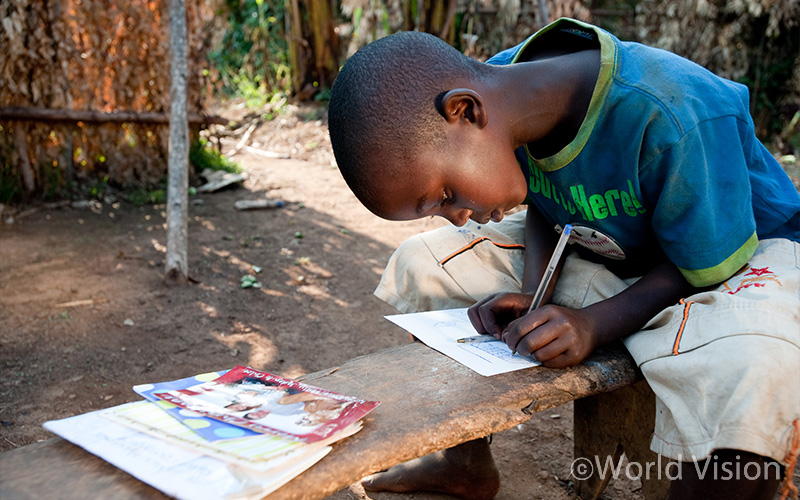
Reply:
x=174, y=470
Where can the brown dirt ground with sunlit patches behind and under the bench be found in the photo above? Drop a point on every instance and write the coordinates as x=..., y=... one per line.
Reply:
x=85, y=314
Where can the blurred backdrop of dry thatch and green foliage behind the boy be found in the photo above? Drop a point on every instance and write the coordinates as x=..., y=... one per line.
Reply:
x=95, y=55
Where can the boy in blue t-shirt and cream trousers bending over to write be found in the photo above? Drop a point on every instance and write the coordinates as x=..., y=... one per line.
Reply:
x=655, y=162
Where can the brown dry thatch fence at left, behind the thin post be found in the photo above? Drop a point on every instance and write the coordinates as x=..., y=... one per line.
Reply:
x=93, y=55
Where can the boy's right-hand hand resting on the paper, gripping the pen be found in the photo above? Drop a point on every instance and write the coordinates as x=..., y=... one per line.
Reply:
x=556, y=336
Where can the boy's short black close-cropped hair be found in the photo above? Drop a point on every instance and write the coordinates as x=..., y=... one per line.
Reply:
x=385, y=101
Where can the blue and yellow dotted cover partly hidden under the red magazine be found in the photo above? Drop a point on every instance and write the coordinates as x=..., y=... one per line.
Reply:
x=210, y=429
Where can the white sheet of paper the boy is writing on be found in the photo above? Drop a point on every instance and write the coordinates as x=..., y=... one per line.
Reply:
x=441, y=329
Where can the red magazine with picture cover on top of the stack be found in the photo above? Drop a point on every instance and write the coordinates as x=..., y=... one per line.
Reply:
x=267, y=403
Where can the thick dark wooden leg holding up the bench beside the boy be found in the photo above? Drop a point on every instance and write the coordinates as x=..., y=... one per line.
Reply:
x=608, y=424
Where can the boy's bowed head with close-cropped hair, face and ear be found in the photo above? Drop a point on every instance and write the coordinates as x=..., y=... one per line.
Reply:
x=410, y=133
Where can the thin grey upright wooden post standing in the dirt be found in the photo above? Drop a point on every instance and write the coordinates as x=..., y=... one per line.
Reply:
x=178, y=169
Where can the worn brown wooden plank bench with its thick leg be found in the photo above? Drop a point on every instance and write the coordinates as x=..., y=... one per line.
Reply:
x=429, y=402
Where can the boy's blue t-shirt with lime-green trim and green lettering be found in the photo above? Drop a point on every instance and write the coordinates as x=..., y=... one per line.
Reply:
x=665, y=164
